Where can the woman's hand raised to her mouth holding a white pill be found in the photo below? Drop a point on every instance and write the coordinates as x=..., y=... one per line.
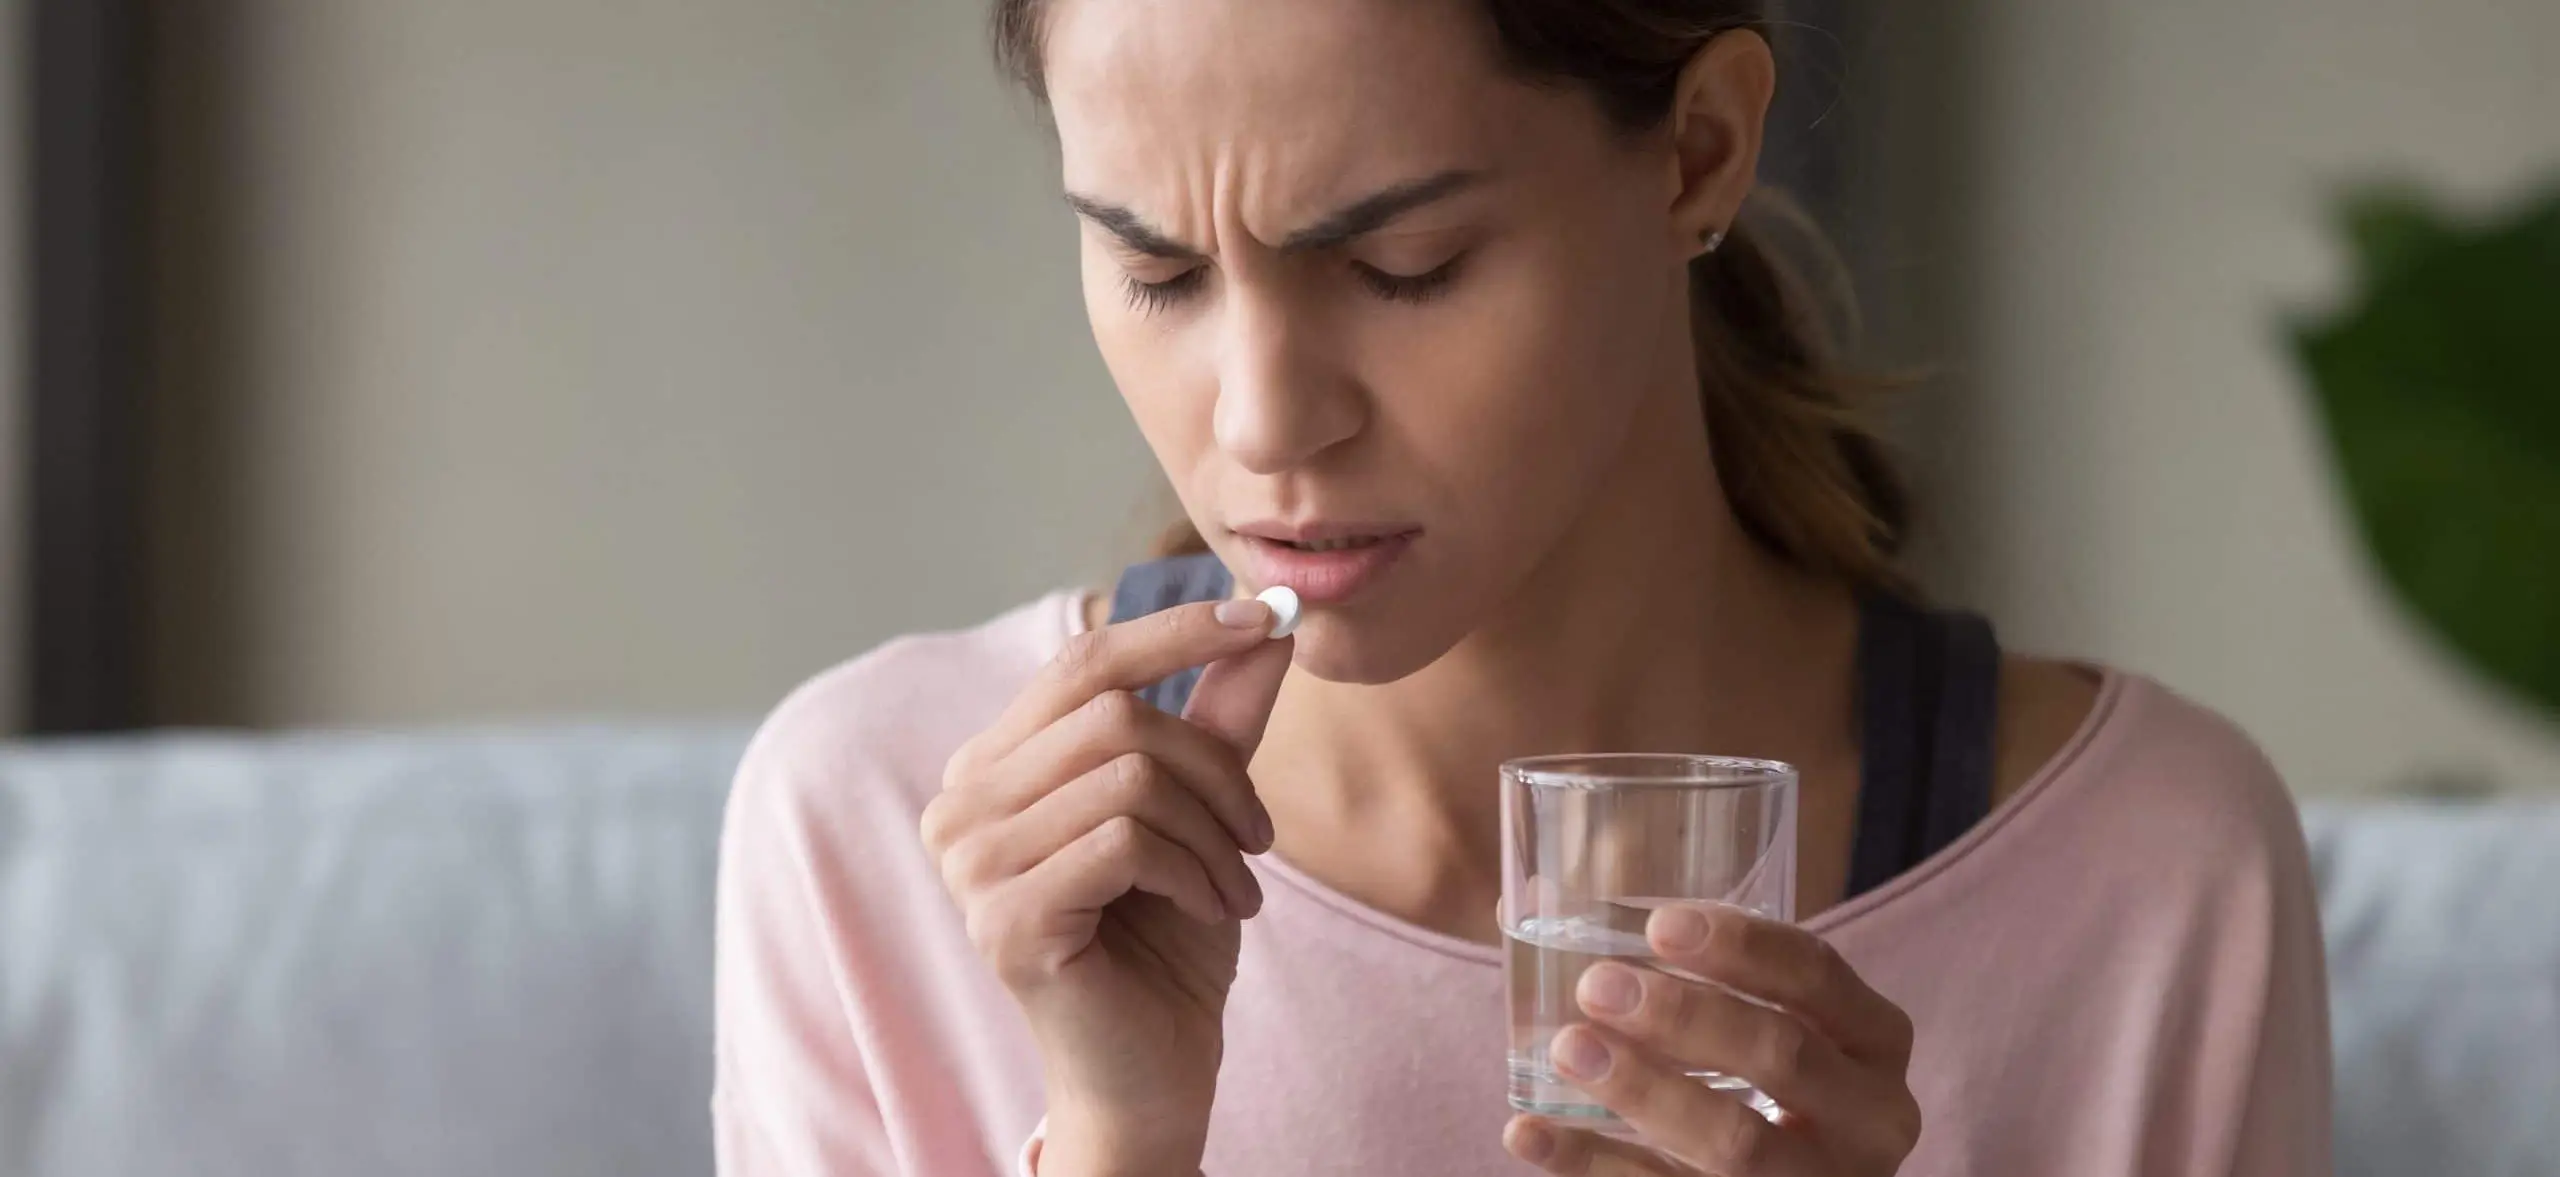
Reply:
x=1097, y=848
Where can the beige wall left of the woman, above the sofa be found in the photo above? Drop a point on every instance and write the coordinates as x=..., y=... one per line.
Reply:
x=552, y=357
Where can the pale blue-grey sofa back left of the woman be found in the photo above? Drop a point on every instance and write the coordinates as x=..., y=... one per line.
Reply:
x=360, y=956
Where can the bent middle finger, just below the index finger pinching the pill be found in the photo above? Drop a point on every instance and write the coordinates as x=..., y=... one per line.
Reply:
x=1115, y=725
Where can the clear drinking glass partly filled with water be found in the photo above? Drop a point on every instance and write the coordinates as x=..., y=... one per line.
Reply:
x=1591, y=848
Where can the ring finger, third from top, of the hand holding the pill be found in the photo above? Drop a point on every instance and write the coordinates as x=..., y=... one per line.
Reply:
x=1135, y=787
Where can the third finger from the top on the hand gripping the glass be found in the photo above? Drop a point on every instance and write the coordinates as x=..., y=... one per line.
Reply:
x=1678, y=1114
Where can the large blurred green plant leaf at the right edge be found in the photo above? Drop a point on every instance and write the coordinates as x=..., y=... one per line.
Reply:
x=2441, y=390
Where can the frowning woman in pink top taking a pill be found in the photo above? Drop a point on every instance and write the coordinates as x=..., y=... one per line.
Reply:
x=1445, y=313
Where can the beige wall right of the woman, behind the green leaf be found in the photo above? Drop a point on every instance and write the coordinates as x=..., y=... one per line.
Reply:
x=2136, y=196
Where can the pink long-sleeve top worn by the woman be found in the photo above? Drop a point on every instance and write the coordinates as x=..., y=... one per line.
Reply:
x=2116, y=974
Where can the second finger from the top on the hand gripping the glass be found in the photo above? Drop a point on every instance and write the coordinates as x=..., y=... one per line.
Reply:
x=1704, y=1027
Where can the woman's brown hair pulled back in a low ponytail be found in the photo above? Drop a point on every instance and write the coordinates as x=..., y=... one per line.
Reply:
x=1798, y=459
